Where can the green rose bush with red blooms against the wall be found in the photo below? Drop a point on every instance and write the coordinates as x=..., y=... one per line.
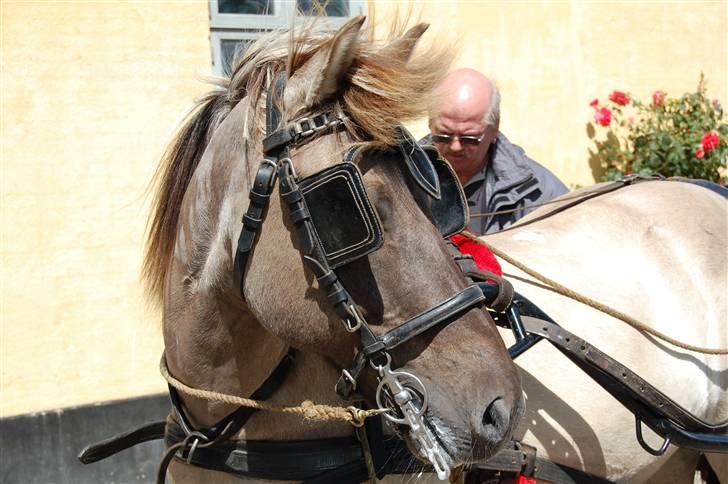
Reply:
x=685, y=136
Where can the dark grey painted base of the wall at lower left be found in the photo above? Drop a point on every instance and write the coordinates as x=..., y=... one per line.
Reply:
x=42, y=447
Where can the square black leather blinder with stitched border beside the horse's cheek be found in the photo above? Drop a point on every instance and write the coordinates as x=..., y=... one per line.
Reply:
x=346, y=223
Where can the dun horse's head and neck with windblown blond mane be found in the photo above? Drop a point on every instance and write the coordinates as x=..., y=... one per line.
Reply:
x=221, y=339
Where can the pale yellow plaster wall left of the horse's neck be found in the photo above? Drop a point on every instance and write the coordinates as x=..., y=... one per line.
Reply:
x=91, y=92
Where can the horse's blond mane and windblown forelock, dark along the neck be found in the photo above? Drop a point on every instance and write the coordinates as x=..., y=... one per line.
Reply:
x=384, y=87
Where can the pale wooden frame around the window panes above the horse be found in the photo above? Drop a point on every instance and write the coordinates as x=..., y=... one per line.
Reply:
x=235, y=26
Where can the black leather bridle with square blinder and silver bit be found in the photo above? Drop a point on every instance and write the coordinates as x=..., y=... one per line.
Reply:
x=399, y=389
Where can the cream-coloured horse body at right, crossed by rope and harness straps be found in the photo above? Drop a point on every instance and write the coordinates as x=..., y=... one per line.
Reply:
x=653, y=250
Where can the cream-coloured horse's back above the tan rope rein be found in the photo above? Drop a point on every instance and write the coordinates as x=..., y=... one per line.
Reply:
x=636, y=246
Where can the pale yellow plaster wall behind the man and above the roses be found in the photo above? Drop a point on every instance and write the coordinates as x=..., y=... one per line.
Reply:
x=550, y=59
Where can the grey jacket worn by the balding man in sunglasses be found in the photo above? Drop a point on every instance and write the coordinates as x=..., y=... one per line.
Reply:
x=509, y=180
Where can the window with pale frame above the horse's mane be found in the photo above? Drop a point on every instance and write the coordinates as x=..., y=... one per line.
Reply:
x=235, y=24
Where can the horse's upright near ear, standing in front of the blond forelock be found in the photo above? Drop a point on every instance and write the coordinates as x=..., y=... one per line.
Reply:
x=320, y=77
